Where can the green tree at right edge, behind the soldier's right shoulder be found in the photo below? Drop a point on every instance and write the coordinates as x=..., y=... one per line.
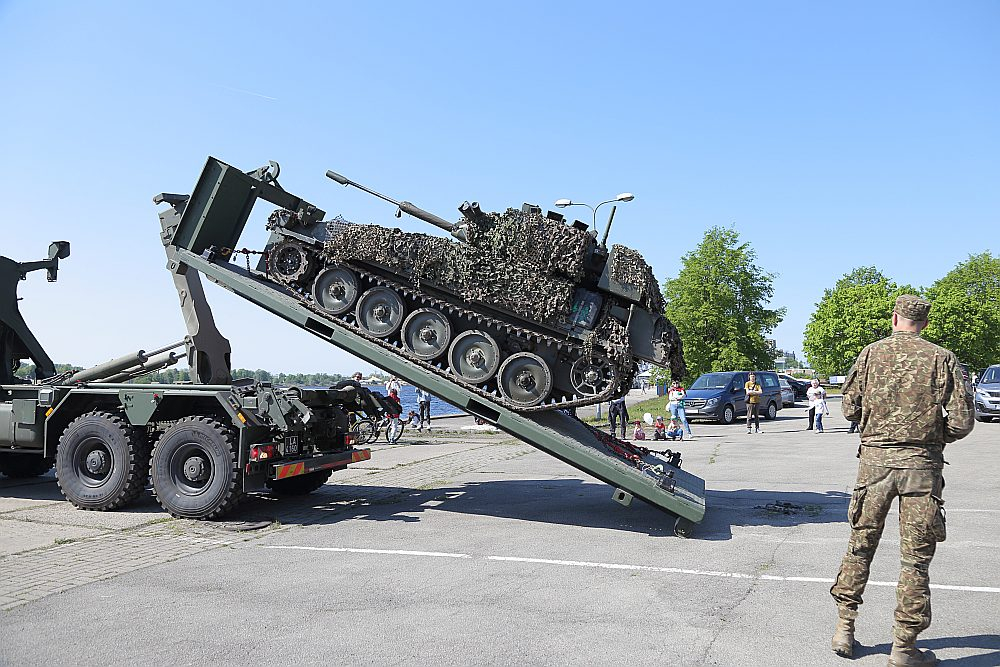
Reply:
x=965, y=311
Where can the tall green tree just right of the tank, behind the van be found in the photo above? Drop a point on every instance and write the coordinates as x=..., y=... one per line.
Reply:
x=718, y=302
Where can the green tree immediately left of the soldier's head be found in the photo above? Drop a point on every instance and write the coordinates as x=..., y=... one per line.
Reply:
x=855, y=313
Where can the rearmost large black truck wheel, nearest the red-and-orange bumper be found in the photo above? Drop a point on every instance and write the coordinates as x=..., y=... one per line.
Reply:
x=195, y=469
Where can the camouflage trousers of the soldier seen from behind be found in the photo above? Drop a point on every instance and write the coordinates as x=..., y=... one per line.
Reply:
x=921, y=527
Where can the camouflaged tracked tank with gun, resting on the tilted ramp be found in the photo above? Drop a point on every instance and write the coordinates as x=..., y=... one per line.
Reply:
x=525, y=309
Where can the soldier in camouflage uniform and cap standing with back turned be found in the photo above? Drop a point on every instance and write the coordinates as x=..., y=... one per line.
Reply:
x=914, y=403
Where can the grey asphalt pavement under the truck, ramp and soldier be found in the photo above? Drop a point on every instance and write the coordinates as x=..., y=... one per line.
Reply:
x=461, y=547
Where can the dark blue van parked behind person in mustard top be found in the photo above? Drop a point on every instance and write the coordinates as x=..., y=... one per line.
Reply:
x=722, y=397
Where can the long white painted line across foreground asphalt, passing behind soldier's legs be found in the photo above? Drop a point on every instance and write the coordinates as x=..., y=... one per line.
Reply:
x=627, y=567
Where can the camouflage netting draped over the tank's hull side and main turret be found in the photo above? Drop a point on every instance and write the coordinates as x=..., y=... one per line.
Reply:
x=503, y=275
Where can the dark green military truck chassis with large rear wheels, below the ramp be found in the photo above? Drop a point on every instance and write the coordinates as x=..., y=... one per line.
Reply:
x=203, y=446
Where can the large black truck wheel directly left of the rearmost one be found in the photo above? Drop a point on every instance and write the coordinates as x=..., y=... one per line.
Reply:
x=101, y=462
